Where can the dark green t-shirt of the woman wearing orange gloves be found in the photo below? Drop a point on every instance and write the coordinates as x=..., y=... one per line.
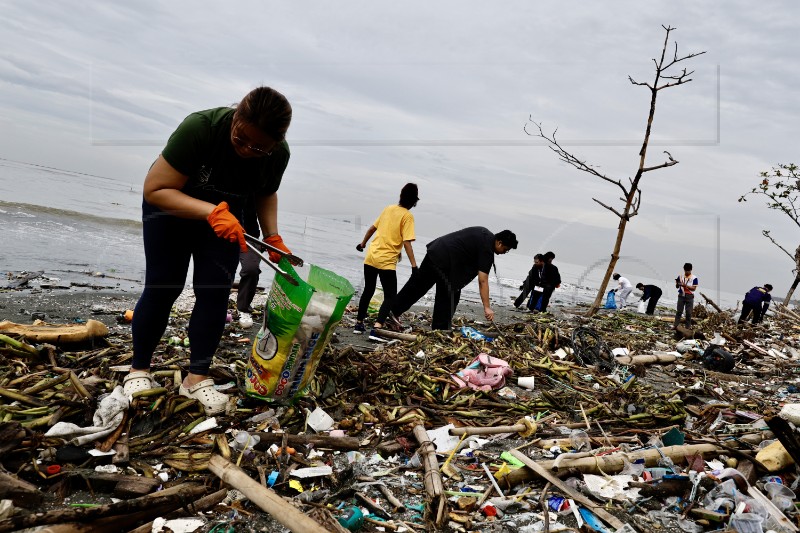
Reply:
x=201, y=149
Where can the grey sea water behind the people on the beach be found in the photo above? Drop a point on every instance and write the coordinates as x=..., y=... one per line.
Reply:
x=87, y=229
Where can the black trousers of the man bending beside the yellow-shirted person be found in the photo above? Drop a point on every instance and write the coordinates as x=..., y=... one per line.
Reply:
x=447, y=297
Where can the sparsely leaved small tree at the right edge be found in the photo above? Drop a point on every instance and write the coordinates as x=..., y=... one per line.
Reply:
x=781, y=187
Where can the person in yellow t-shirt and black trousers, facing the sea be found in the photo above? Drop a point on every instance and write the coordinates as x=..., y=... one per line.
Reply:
x=395, y=230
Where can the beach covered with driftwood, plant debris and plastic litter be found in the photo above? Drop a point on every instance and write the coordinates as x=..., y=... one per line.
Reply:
x=611, y=423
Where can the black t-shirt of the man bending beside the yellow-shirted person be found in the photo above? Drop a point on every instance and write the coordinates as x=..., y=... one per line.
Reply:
x=464, y=253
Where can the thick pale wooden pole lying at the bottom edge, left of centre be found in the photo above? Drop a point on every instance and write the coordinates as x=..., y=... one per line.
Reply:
x=267, y=500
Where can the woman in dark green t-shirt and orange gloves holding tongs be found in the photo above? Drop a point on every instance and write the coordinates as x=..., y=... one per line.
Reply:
x=194, y=200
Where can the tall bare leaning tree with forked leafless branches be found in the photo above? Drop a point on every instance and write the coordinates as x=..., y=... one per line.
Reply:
x=631, y=195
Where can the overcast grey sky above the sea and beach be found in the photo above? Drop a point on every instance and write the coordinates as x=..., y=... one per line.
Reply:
x=438, y=93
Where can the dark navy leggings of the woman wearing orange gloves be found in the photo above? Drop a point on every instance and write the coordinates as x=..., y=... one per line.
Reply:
x=169, y=243
